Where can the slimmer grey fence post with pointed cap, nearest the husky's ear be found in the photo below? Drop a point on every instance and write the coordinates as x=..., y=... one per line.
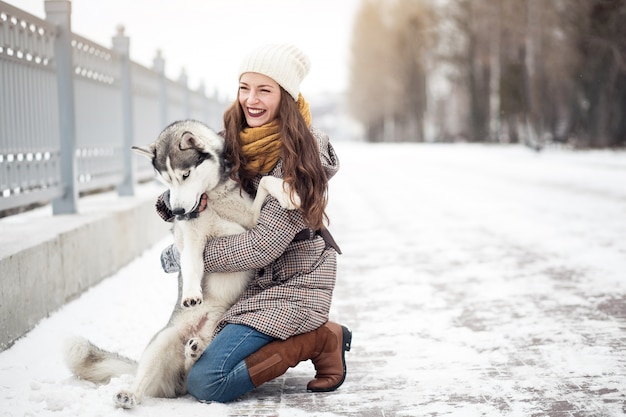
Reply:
x=121, y=45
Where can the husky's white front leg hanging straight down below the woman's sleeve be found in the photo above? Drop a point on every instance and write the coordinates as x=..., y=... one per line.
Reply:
x=191, y=263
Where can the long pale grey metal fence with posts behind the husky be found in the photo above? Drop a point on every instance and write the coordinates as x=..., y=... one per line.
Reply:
x=70, y=109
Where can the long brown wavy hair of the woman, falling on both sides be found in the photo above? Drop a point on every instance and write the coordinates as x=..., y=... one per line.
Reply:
x=302, y=168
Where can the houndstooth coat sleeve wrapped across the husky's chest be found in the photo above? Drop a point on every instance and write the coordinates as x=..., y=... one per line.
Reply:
x=257, y=247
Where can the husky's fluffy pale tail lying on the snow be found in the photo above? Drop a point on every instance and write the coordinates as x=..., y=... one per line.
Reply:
x=89, y=362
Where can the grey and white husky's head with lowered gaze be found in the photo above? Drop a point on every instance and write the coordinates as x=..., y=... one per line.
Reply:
x=188, y=158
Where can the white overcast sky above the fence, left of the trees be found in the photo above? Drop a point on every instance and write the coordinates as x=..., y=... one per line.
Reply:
x=209, y=37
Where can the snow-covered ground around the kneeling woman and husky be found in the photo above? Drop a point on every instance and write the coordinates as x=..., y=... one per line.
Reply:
x=478, y=281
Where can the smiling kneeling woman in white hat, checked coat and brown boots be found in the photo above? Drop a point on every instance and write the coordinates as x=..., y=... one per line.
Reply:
x=282, y=317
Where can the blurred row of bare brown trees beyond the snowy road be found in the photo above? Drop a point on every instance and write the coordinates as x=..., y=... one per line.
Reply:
x=516, y=70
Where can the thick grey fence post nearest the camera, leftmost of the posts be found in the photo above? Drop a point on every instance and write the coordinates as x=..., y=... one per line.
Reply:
x=59, y=13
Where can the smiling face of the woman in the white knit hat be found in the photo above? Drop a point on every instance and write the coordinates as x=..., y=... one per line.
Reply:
x=259, y=97
